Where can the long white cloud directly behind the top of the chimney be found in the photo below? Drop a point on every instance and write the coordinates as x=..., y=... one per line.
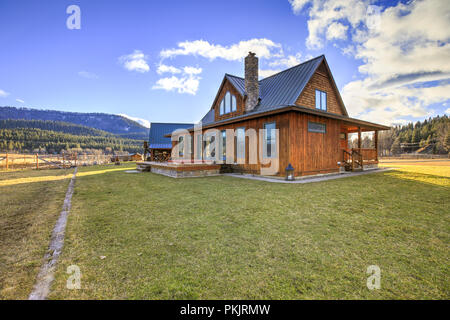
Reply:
x=264, y=48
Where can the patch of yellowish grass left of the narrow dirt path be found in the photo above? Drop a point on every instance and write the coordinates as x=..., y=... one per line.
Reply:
x=30, y=203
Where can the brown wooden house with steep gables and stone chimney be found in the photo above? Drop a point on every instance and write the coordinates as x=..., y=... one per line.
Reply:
x=303, y=105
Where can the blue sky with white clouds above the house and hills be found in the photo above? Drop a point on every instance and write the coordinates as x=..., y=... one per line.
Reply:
x=164, y=61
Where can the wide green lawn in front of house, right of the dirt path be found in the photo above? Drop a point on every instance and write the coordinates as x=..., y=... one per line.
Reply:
x=227, y=238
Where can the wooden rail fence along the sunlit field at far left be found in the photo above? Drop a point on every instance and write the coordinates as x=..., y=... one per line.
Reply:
x=14, y=161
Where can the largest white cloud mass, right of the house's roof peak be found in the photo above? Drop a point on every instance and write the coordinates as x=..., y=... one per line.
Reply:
x=404, y=56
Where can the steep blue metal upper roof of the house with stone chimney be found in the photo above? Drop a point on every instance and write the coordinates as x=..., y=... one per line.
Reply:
x=277, y=91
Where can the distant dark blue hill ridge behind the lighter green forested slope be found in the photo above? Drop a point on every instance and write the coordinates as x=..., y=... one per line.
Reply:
x=118, y=125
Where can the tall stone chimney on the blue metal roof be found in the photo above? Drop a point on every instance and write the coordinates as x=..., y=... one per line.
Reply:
x=251, y=82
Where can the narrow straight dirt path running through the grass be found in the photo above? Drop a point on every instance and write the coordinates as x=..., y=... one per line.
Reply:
x=46, y=275
